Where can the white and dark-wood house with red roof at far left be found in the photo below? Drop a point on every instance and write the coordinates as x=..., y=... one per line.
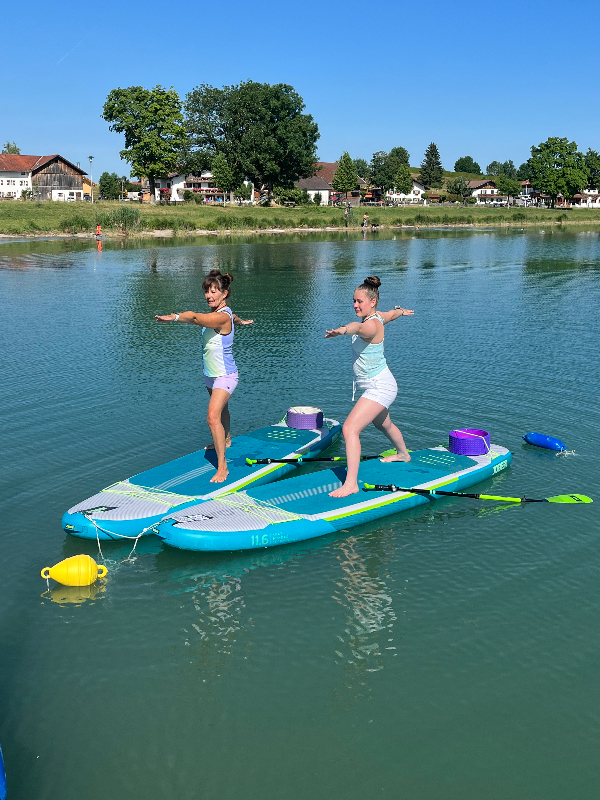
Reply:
x=46, y=177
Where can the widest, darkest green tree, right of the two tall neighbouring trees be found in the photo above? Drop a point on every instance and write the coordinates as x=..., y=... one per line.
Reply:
x=260, y=129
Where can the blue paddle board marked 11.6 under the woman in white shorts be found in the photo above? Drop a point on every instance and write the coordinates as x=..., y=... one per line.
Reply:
x=300, y=508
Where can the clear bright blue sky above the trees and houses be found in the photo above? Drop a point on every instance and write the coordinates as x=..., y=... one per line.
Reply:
x=477, y=78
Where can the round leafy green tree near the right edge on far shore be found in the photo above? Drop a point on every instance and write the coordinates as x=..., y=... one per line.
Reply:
x=557, y=167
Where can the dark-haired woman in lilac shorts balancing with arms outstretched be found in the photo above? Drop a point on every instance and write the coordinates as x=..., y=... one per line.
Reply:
x=220, y=370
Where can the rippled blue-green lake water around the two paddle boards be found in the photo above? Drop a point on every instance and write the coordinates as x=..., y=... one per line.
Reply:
x=449, y=653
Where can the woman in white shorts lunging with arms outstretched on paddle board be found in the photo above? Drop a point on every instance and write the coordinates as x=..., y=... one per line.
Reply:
x=372, y=375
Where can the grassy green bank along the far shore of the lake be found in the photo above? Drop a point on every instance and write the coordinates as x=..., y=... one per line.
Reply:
x=34, y=219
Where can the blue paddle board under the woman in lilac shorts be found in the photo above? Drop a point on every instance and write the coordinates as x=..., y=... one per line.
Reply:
x=131, y=507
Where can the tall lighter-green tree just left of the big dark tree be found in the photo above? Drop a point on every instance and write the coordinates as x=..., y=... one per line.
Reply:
x=152, y=122
